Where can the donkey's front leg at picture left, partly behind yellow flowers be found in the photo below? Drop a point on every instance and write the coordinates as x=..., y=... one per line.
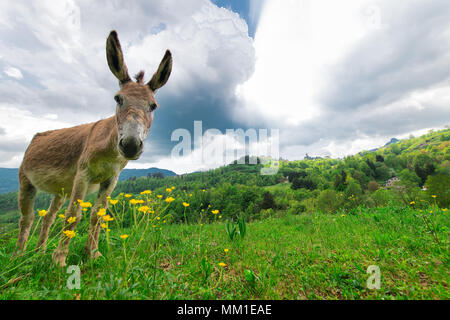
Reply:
x=73, y=213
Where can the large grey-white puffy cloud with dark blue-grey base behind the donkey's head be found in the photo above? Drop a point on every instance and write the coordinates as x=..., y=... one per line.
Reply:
x=60, y=48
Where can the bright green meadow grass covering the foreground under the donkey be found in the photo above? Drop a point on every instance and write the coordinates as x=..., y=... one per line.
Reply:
x=313, y=256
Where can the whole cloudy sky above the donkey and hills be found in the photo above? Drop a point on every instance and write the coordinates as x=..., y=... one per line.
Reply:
x=335, y=77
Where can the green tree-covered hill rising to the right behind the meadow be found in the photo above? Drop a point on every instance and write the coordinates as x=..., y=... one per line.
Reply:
x=414, y=170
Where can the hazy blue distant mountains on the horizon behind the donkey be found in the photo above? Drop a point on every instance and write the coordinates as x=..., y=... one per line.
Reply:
x=9, y=177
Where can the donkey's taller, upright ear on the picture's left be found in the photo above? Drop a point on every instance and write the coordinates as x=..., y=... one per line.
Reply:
x=115, y=59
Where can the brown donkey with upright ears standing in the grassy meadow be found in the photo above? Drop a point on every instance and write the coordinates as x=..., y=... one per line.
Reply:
x=86, y=158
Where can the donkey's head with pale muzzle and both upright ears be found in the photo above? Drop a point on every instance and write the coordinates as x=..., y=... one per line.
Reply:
x=135, y=100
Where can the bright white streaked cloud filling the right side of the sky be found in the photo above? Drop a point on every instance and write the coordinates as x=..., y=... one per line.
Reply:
x=338, y=78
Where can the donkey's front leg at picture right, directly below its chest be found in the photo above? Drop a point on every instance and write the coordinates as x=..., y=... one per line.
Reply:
x=106, y=188
